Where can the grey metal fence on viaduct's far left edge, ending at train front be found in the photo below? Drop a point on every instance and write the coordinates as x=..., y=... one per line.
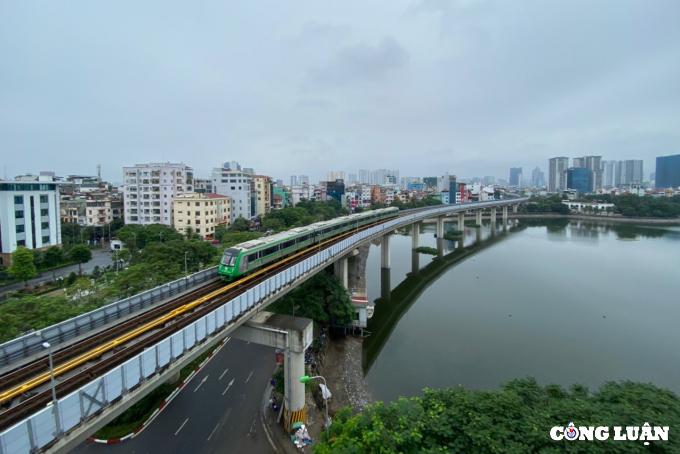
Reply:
x=31, y=343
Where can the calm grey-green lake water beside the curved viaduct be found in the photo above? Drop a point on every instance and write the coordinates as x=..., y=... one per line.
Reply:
x=562, y=301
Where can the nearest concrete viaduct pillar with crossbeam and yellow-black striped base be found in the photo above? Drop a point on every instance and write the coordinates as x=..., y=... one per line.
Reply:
x=294, y=335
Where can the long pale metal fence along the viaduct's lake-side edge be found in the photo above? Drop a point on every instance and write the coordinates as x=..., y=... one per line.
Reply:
x=41, y=429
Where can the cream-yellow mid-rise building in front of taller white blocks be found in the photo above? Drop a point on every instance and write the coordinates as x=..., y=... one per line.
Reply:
x=201, y=213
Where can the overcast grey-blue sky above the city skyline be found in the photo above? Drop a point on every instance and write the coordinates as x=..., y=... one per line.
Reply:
x=303, y=87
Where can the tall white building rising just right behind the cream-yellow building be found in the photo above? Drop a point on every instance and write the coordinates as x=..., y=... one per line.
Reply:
x=231, y=181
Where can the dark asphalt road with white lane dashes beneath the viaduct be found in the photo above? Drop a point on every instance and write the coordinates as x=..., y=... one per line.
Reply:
x=218, y=411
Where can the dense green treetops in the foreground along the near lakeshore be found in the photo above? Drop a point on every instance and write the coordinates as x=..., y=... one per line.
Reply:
x=515, y=419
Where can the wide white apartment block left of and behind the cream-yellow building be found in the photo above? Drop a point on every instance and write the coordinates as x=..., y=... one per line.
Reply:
x=150, y=188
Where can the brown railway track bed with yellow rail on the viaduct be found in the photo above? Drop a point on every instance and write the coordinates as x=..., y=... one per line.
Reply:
x=126, y=342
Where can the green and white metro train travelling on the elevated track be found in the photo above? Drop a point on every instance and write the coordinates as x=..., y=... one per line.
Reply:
x=246, y=257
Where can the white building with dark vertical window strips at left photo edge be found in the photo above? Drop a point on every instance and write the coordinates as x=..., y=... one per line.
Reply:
x=29, y=217
